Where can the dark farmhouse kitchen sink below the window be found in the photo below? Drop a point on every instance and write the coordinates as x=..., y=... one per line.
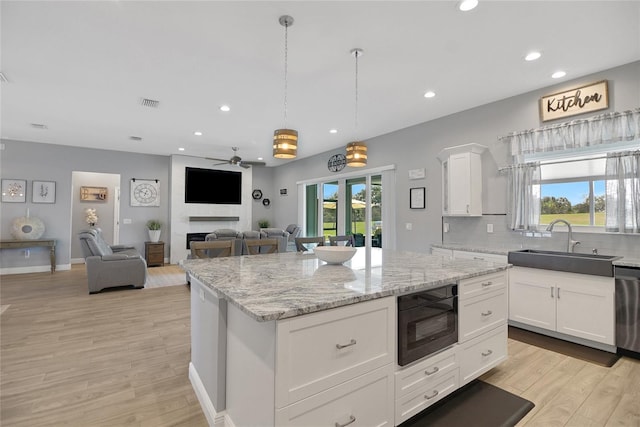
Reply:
x=598, y=265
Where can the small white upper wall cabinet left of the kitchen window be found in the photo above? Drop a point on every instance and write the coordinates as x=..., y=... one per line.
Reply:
x=462, y=180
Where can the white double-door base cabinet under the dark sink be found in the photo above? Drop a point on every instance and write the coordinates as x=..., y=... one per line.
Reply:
x=577, y=305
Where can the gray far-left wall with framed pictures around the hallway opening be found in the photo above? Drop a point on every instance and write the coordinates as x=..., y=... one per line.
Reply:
x=47, y=162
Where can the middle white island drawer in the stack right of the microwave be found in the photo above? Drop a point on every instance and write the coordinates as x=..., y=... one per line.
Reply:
x=482, y=313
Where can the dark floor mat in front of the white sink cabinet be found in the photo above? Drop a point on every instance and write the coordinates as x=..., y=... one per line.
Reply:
x=588, y=354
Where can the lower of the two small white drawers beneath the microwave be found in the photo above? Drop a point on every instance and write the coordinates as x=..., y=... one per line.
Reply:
x=415, y=402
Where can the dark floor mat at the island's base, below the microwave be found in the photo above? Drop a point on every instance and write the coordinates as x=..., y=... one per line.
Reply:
x=477, y=404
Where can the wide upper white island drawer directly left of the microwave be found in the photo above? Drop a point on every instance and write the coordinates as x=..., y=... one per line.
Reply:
x=321, y=350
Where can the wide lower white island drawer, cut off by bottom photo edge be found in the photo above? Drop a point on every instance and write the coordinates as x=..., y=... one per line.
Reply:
x=364, y=401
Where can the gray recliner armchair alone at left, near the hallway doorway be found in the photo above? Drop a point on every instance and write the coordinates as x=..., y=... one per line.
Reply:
x=111, y=266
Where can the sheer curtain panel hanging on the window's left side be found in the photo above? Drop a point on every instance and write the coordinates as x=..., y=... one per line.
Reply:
x=524, y=183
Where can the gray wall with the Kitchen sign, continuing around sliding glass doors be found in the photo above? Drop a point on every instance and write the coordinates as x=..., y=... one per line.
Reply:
x=418, y=146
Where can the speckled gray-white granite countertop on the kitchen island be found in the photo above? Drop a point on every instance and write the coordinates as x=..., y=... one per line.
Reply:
x=277, y=286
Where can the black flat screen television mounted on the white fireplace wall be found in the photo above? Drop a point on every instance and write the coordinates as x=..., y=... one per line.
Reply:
x=212, y=186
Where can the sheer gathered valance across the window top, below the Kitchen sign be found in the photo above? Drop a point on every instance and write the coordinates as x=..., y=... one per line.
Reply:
x=601, y=129
